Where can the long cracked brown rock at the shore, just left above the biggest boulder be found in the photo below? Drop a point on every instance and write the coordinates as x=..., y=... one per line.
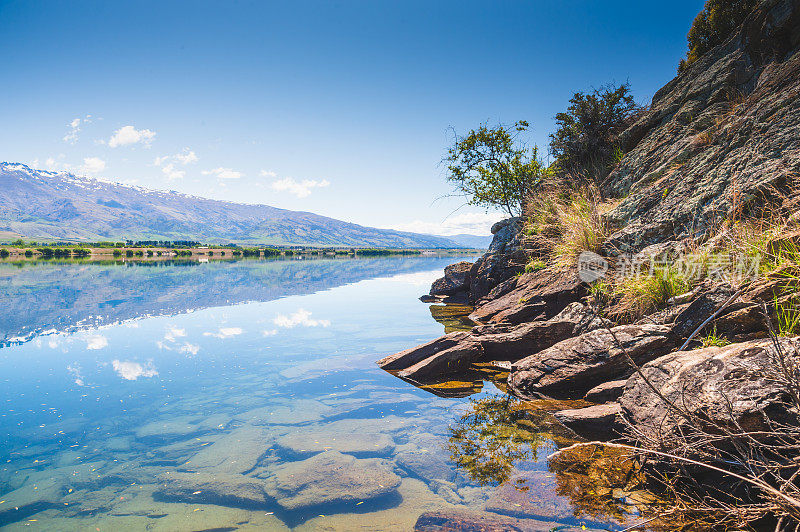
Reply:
x=573, y=366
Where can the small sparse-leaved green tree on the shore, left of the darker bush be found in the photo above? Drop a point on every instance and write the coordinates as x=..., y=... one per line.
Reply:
x=492, y=167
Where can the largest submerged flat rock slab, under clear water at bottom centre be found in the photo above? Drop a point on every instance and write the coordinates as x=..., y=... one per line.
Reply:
x=330, y=477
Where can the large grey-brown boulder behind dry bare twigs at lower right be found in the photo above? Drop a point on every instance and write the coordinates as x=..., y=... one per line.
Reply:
x=707, y=382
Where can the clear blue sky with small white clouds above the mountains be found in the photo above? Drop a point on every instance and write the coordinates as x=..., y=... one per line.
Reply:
x=339, y=108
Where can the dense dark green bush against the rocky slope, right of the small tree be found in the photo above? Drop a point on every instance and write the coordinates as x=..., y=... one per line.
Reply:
x=585, y=143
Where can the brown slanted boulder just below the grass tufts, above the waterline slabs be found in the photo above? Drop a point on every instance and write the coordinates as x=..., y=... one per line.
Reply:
x=535, y=295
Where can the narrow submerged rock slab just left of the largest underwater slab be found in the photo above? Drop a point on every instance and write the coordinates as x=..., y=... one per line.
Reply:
x=210, y=488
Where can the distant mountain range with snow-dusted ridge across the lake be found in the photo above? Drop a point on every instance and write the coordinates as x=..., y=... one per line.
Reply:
x=48, y=205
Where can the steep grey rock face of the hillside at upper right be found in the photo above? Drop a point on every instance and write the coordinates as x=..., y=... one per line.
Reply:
x=724, y=132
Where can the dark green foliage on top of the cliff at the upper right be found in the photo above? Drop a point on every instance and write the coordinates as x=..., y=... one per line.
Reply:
x=713, y=25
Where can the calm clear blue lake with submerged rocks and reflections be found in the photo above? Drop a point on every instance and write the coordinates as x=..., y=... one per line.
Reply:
x=244, y=395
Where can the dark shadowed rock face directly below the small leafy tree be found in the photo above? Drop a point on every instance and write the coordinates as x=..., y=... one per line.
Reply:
x=504, y=259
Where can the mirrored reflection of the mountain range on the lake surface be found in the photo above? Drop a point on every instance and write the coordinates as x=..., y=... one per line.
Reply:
x=43, y=297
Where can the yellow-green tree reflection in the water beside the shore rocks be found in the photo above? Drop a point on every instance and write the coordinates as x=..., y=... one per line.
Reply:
x=492, y=436
